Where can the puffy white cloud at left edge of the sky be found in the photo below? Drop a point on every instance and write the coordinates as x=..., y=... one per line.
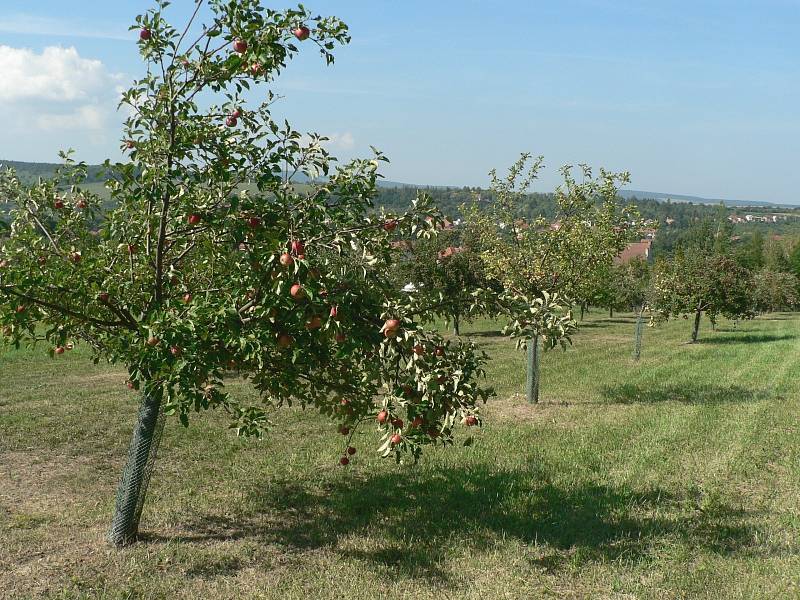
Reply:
x=56, y=90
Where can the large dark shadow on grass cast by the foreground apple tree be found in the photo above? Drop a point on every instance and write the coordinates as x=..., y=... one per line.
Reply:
x=411, y=521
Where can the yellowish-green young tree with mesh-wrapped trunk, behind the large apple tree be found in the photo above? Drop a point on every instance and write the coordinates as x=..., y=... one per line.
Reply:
x=543, y=265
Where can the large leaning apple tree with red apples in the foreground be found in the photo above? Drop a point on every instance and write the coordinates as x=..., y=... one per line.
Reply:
x=211, y=262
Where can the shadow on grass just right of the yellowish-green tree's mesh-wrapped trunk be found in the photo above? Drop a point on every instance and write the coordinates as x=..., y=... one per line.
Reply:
x=632, y=393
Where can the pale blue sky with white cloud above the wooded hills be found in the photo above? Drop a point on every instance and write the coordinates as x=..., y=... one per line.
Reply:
x=690, y=97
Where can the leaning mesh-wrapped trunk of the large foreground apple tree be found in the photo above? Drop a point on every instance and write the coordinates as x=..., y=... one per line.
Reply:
x=137, y=471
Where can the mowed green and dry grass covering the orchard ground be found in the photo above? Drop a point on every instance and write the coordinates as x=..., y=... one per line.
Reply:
x=674, y=477
